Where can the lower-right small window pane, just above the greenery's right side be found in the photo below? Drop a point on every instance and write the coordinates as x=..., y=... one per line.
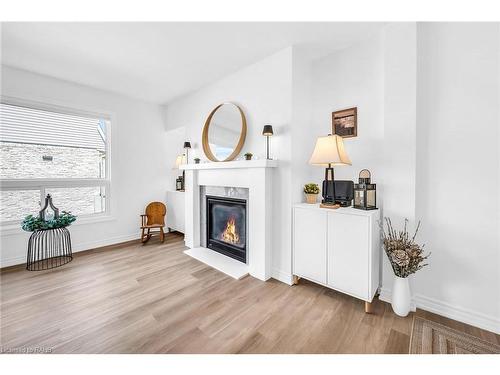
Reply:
x=79, y=201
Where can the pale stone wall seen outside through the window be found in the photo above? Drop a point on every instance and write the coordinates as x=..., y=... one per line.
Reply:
x=20, y=160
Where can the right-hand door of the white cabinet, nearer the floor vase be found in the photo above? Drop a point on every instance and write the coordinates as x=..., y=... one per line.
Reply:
x=348, y=254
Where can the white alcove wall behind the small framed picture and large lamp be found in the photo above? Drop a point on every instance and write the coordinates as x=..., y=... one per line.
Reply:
x=352, y=77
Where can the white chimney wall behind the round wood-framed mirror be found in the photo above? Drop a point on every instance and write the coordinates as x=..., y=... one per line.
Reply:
x=264, y=92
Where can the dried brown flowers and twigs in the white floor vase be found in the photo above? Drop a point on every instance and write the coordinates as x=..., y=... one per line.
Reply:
x=405, y=255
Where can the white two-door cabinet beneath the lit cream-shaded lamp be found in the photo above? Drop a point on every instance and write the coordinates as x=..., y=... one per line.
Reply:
x=337, y=248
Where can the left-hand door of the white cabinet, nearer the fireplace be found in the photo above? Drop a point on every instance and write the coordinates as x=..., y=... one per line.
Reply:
x=309, y=260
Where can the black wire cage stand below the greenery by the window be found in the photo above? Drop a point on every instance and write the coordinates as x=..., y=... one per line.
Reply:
x=48, y=248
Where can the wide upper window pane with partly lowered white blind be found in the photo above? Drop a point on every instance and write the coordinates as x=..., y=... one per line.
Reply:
x=42, y=144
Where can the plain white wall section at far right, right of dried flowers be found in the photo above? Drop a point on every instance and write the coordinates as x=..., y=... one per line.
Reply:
x=458, y=170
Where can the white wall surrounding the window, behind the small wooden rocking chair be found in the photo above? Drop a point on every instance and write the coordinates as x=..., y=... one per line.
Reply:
x=138, y=160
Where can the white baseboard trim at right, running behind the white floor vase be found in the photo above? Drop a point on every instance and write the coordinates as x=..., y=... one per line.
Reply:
x=447, y=310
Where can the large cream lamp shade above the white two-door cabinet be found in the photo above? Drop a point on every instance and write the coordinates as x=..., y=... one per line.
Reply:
x=329, y=150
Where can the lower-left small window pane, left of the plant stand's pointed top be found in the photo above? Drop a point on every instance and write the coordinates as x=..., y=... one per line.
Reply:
x=16, y=205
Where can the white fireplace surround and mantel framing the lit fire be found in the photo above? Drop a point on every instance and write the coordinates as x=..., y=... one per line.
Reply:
x=256, y=176
